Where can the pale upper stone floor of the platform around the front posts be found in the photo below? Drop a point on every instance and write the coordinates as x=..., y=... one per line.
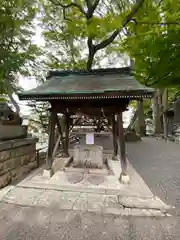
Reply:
x=108, y=185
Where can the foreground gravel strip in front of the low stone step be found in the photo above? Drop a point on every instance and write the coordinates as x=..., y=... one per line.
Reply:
x=30, y=223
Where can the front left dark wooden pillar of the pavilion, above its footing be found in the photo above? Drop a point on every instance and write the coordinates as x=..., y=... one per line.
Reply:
x=52, y=123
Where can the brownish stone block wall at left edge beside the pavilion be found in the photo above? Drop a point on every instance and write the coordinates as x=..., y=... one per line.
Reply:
x=17, y=158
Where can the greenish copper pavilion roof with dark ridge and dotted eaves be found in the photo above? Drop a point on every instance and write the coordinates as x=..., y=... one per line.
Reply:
x=74, y=83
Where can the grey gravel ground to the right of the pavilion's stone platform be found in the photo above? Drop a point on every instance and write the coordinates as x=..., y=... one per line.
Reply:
x=158, y=163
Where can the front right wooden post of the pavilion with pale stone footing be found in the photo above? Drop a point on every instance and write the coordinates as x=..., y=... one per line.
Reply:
x=124, y=178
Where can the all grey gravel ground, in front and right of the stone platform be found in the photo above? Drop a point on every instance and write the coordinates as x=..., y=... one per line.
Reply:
x=156, y=161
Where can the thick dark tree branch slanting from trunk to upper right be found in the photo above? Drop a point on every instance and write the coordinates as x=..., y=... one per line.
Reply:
x=128, y=18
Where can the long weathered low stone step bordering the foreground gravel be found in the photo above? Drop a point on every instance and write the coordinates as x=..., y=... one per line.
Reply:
x=64, y=200
